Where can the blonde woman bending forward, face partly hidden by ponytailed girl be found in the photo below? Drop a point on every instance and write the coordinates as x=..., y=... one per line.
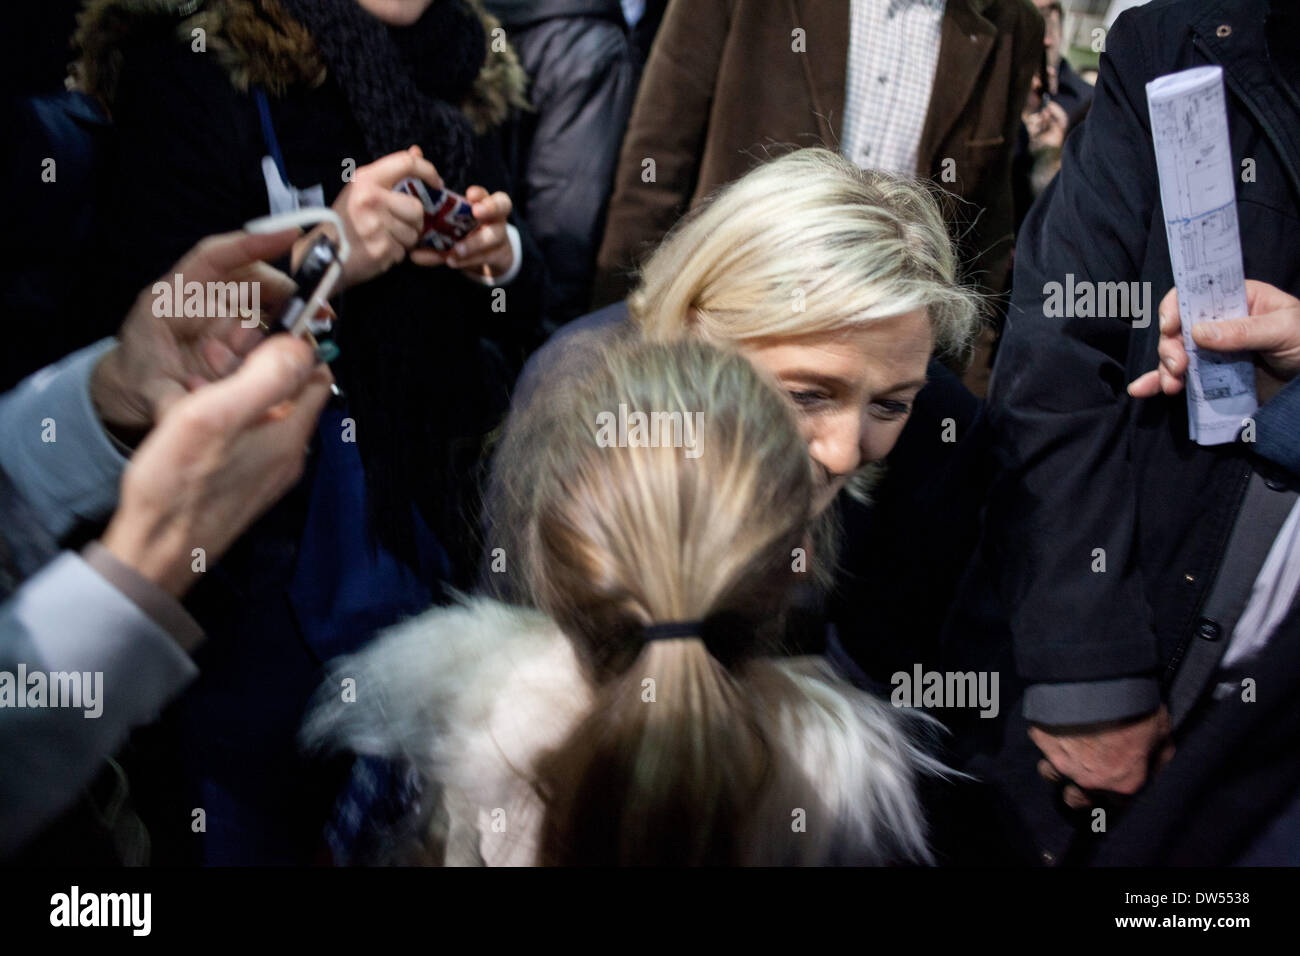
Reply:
x=840, y=284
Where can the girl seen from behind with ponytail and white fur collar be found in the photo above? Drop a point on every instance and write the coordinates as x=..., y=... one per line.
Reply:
x=638, y=711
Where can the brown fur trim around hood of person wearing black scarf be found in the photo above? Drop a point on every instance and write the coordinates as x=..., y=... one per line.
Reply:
x=259, y=44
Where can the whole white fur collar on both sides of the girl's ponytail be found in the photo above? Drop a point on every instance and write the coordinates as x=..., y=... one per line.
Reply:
x=471, y=697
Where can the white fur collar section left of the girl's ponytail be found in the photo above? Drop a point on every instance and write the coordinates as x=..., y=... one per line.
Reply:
x=469, y=697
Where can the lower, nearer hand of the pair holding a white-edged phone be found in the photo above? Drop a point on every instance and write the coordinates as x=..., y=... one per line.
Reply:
x=216, y=461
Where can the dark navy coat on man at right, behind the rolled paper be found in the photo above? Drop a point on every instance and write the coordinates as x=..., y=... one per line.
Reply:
x=1082, y=466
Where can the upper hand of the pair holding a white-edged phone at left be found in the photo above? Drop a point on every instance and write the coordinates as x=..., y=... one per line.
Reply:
x=159, y=360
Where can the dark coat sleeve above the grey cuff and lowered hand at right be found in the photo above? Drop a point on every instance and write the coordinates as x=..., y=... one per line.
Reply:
x=1059, y=408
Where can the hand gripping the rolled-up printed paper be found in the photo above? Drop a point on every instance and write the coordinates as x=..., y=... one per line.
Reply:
x=1271, y=330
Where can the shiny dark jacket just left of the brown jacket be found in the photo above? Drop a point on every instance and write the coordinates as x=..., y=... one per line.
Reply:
x=583, y=71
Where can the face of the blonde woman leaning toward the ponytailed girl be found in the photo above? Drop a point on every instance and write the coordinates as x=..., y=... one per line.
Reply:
x=853, y=391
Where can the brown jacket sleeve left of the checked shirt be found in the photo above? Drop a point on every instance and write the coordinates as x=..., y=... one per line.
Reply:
x=669, y=126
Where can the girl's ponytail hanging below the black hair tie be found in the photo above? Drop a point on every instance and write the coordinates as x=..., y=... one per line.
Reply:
x=661, y=771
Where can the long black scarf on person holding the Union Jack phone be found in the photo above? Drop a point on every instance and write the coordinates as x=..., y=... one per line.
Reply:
x=421, y=384
